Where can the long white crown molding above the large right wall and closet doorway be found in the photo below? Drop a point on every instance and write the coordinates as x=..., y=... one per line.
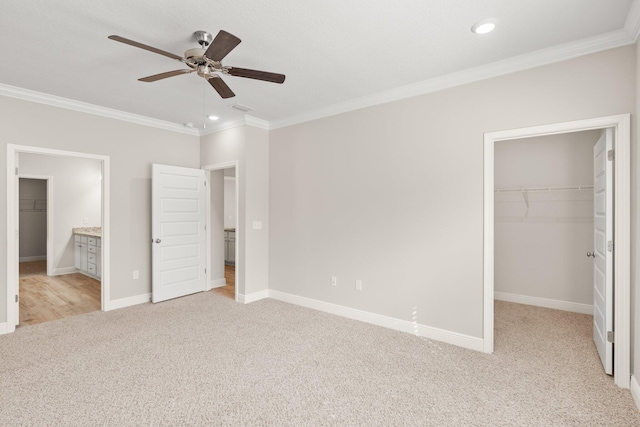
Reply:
x=538, y=58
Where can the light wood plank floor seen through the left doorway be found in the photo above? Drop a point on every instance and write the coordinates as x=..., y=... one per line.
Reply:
x=44, y=298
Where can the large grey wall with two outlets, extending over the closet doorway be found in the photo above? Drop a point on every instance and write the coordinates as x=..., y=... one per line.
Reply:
x=414, y=236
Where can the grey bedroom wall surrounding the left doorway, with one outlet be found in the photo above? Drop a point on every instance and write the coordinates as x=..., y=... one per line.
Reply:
x=132, y=149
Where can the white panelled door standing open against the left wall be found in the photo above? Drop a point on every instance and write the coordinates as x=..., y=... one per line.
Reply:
x=178, y=232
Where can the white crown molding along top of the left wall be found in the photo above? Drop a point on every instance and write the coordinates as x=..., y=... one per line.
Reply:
x=70, y=104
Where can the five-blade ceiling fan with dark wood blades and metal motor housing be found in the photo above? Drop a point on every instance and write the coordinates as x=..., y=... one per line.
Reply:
x=206, y=61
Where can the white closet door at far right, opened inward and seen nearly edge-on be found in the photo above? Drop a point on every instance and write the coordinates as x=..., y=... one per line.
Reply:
x=603, y=249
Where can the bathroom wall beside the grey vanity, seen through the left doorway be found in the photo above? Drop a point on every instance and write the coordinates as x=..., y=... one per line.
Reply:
x=76, y=195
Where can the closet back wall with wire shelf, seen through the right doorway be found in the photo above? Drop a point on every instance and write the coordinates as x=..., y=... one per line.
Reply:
x=540, y=251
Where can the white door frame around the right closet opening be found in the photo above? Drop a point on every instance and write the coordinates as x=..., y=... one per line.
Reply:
x=621, y=125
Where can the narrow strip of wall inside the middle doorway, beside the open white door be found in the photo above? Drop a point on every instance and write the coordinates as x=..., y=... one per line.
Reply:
x=217, y=212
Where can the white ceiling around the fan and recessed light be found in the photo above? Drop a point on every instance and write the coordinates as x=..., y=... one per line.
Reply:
x=335, y=53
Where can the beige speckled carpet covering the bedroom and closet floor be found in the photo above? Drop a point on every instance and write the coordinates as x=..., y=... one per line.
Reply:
x=206, y=360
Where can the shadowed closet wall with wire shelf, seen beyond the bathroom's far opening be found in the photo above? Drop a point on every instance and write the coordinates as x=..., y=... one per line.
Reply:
x=33, y=223
